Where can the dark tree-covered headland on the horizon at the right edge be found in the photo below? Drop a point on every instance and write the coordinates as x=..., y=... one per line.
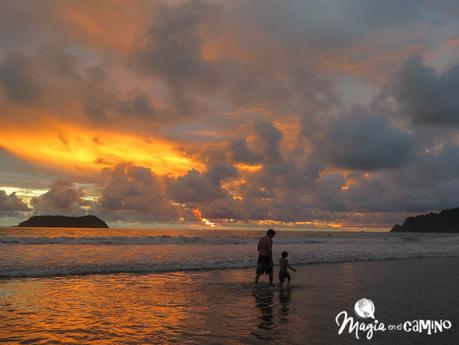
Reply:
x=445, y=221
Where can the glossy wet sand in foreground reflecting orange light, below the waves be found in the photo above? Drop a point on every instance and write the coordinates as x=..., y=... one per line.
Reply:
x=224, y=307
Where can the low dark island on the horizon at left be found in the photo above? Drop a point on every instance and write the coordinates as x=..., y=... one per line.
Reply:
x=64, y=222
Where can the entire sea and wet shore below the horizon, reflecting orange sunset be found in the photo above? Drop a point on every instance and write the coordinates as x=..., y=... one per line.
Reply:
x=88, y=286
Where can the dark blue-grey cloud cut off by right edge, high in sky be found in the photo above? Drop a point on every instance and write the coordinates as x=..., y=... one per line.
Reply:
x=428, y=97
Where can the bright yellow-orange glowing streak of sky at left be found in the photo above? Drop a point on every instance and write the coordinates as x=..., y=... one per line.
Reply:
x=78, y=148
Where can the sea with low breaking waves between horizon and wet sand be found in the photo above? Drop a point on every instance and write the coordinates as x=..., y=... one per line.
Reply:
x=38, y=252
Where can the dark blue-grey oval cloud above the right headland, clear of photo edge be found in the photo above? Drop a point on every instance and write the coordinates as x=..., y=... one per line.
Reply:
x=364, y=142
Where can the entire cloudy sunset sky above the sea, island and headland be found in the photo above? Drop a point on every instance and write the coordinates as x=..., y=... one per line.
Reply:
x=298, y=114
